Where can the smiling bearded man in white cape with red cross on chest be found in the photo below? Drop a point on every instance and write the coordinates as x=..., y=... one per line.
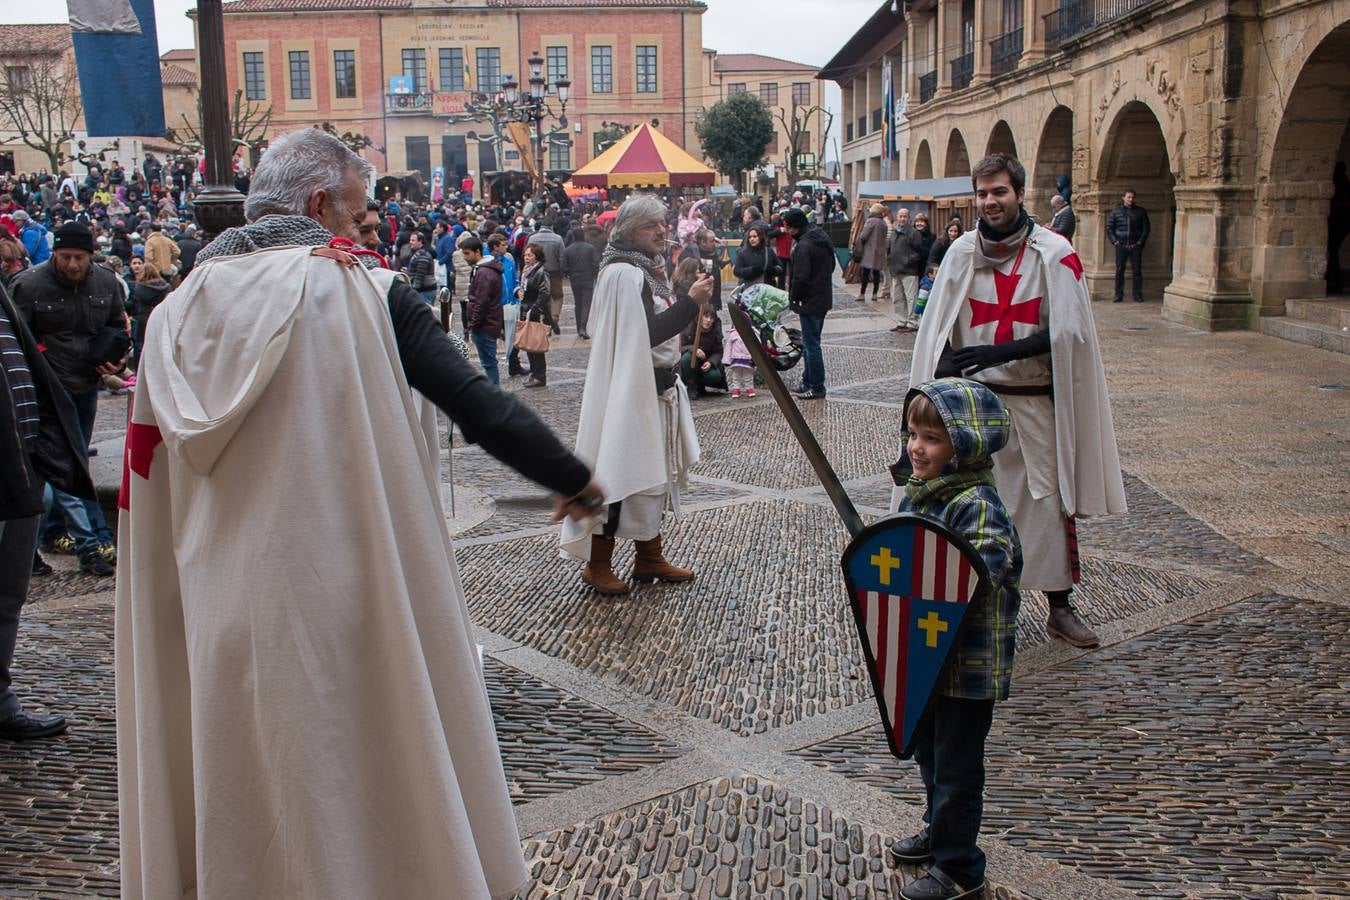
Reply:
x=1010, y=310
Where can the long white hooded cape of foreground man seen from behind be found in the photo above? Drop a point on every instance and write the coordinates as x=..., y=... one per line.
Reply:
x=300, y=704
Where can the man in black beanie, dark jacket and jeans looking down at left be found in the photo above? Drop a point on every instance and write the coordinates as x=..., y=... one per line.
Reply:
x=68, y=303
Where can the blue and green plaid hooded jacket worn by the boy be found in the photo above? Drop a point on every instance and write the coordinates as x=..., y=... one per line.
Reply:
x=966, y=500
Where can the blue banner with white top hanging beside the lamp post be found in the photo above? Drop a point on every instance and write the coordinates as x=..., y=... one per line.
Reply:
x=119, y=69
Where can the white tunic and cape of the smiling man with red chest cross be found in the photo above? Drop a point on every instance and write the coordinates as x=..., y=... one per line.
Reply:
x=1062, y=459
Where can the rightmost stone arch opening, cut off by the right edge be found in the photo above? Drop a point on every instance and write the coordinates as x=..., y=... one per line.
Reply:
x=1295, y=187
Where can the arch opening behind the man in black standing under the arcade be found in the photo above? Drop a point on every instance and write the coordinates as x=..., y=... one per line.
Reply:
x=1136, y=157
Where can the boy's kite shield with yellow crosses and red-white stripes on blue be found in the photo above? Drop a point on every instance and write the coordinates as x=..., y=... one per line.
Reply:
x=912, y=582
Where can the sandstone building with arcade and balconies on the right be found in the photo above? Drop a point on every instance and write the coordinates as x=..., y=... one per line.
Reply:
x=1225, y=118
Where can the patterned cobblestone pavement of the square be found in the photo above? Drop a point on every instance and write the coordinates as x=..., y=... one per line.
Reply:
x=719, y=740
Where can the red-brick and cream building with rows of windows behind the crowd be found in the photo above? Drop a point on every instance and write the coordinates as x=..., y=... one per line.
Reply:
x=398, y=69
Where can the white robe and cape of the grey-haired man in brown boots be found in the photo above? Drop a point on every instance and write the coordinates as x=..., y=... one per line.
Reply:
x=641, y=446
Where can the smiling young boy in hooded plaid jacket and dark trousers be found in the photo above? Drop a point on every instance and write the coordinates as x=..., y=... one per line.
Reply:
x=954, y=428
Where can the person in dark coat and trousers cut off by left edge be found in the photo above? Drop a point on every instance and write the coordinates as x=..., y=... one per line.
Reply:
x=40, y=442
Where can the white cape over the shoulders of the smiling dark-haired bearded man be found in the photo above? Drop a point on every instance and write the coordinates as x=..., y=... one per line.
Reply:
x=1085, y=437
